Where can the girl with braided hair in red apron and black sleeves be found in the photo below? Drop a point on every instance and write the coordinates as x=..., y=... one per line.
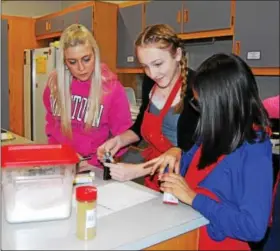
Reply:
x=166, y=118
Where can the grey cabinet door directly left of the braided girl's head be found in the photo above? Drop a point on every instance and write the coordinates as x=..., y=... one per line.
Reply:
x=129, y=27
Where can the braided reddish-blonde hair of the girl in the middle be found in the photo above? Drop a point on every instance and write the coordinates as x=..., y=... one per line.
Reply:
x=163, y=36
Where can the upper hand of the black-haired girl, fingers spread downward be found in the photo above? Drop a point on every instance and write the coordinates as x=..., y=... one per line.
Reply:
x=170, y=158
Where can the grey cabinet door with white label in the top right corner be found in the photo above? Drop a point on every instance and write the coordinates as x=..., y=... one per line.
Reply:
x=257, y=32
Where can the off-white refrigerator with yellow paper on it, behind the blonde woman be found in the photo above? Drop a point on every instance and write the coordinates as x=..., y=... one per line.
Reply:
x=37, y=66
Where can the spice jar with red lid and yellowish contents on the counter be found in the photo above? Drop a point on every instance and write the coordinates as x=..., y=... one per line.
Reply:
x=86, y=212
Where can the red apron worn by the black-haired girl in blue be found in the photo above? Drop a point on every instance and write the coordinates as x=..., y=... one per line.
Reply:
x=193, y=177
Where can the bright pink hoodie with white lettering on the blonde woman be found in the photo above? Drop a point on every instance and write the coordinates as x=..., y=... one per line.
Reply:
x=115, y=116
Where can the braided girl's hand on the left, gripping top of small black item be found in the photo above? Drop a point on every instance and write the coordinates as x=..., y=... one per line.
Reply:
x=112, y=145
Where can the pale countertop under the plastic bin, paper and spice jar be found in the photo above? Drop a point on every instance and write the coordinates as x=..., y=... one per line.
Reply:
x=133, y=228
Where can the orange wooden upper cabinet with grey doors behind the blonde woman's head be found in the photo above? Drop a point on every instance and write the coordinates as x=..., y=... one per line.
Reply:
x=98, y=17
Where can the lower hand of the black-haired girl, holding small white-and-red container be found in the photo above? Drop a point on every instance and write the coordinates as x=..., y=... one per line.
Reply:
x=176, y=185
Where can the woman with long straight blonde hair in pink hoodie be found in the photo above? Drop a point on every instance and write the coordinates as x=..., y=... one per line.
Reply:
x=85, y=102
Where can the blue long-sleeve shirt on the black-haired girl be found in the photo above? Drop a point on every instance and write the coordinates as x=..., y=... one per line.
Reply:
x=243, y=183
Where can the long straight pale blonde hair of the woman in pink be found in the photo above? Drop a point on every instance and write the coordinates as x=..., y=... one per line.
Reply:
x=72, y=36
